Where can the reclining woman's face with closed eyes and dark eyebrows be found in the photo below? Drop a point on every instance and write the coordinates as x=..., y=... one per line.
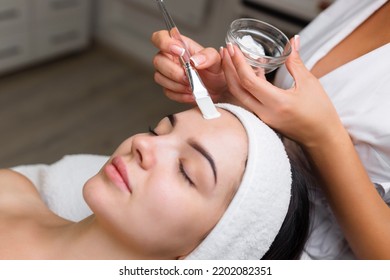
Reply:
x=162, y=192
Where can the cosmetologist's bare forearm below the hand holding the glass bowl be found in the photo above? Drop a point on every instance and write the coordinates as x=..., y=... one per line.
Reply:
x=363, y=216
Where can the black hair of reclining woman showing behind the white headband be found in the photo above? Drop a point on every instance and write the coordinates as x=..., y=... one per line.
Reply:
x=292, y=236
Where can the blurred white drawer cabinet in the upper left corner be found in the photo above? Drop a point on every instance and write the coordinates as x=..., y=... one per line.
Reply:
x=33, y=30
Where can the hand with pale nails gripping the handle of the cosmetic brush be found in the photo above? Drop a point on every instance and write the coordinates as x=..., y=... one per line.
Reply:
x=171, y=75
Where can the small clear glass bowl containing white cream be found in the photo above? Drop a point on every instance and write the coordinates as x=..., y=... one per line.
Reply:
x=264, y=46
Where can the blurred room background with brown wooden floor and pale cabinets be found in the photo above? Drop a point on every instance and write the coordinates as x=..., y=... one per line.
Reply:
x=76, y=76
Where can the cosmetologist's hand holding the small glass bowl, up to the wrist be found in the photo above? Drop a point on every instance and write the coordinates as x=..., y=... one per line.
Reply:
x=303, y=113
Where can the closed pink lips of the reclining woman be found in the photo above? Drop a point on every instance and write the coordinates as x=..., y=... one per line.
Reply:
x=117, y=172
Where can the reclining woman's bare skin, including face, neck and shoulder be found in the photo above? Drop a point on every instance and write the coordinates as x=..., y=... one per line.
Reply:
x=155, y=186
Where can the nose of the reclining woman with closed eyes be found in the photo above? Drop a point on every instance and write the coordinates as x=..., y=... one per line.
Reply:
x=144, y=148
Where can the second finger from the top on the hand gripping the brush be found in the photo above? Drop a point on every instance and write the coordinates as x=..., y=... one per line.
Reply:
x=169, y=68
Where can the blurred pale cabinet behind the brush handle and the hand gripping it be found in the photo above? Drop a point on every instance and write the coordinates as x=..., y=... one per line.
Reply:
x=127, y=25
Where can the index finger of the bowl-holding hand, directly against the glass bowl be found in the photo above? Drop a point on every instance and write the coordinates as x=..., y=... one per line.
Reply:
x=264, y=91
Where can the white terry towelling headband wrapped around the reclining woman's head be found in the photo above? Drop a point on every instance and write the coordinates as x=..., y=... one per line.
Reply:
x=257, y=211
